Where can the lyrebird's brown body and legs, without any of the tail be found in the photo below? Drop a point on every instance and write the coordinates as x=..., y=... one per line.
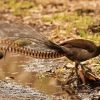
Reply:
x=82, y=50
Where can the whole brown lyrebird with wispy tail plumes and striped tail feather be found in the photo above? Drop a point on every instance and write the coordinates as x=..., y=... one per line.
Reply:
x=77, y=50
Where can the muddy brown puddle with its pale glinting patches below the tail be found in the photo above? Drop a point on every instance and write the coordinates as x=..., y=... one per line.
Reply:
x=18, y=78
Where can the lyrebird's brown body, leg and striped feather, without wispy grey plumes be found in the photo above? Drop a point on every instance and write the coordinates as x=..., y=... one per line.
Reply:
x=77, y=50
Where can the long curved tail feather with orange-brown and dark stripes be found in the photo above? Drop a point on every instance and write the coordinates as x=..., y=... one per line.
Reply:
x=33, y=53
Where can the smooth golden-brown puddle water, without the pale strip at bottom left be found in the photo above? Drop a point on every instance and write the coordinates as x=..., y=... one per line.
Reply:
x=14, y=66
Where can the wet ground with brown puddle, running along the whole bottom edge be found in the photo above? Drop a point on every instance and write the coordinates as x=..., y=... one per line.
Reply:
x=22, y=78
